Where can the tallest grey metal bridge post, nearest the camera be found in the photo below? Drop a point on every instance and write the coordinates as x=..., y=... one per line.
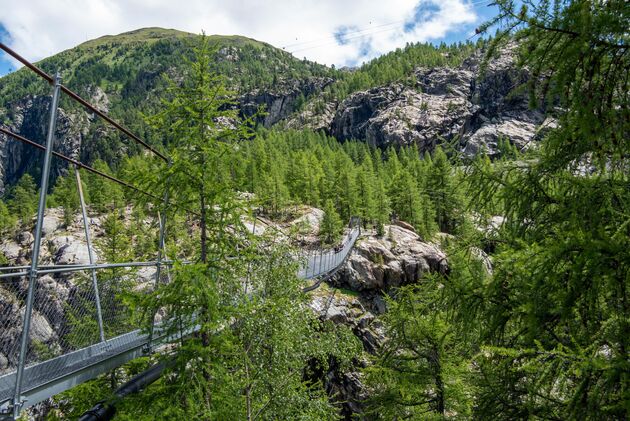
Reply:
x=32, y=279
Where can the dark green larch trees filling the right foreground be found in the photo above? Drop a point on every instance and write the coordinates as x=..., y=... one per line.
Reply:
x=544, y=335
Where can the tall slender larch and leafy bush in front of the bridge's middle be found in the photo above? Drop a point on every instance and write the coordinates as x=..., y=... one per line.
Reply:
x=247, y=359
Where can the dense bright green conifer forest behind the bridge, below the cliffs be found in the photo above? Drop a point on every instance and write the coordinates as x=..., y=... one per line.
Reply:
x=288, y=168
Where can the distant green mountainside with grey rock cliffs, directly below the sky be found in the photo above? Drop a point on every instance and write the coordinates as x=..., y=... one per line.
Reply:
x=422, y=95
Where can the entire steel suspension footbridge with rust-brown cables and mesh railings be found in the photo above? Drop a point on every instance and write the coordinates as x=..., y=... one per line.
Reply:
x=38, y=367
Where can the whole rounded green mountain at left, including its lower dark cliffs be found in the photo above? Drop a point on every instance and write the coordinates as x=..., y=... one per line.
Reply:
x=123, y=74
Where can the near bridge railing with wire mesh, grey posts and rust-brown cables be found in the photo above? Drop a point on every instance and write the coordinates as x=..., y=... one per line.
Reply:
x=80, y=316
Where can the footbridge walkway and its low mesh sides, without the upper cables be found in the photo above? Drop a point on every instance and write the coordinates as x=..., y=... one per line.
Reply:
x=45, y=375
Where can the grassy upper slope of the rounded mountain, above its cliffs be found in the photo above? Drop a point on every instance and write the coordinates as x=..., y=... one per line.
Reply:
x=129, y=64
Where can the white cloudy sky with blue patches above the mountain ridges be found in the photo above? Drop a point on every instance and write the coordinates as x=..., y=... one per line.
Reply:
x=339, y=32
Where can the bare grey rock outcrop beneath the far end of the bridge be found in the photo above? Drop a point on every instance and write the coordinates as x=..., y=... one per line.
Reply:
x=355, y=298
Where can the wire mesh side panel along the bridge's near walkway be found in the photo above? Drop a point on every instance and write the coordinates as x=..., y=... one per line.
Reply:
x=64, y=318
